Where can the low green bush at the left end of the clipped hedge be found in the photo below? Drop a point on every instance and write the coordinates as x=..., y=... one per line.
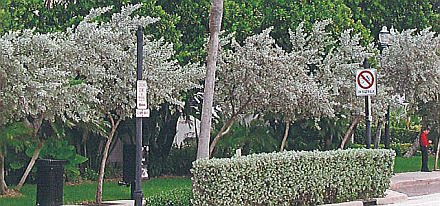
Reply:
x=176, y=197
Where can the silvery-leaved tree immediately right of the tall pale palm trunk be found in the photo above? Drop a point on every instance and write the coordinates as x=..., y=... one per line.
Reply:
x=246, y=77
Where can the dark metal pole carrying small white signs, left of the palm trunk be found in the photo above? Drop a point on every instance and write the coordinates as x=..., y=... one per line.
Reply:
x=138, y=196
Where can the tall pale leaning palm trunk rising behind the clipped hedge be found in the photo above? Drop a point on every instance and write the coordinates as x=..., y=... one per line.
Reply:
x=215, y=20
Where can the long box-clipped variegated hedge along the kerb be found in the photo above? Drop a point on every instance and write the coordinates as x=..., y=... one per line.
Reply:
x=293, y=178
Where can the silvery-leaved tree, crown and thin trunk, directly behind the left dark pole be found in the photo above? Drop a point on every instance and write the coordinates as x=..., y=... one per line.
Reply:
x=110, y=48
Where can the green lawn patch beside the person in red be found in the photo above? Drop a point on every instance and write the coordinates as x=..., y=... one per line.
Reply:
x=411, y=164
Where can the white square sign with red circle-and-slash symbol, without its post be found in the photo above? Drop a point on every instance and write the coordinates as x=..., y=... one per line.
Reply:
x=366, y=81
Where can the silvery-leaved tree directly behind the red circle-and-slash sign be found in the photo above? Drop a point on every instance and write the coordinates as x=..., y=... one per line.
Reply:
x=335, y=62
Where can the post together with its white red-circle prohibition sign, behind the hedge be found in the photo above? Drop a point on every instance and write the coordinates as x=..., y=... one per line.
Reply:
x=366, y=83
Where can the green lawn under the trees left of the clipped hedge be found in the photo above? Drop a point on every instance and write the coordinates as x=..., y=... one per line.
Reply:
x=86, y=192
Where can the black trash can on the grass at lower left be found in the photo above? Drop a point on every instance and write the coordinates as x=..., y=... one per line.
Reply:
x=50, y=182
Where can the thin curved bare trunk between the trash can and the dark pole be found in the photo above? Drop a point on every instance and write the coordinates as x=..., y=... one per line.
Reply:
x=104, y=160
